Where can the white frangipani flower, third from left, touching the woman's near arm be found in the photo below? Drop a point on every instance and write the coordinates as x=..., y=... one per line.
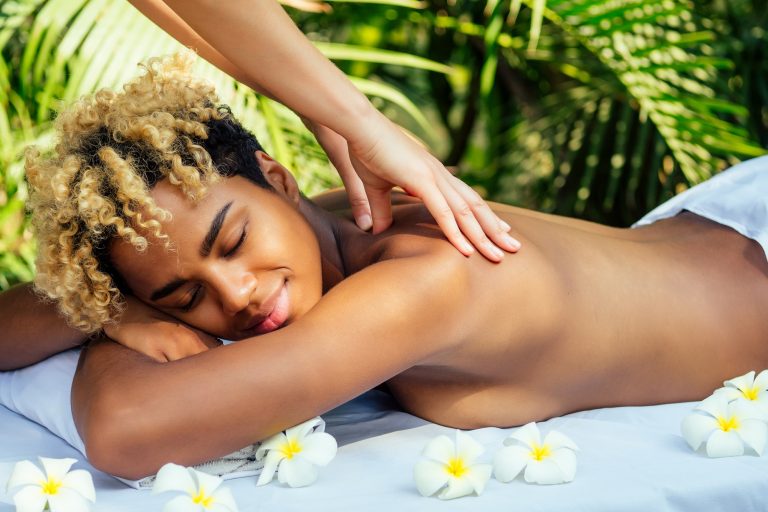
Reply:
x=295, y=454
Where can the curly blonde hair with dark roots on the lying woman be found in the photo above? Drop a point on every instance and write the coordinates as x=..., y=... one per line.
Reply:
x=113, y=148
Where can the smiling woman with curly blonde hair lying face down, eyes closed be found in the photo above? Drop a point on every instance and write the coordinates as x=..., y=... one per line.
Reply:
x=160, y=205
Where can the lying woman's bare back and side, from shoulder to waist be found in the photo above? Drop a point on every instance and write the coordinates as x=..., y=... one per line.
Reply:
x=589, y=316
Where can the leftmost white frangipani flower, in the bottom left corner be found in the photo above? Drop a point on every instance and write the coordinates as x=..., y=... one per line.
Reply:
x=58, y=488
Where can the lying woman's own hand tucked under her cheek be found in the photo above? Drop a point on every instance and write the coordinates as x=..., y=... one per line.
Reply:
x=157, y=335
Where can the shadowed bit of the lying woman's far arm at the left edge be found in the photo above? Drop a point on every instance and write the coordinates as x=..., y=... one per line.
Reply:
x=32, y=329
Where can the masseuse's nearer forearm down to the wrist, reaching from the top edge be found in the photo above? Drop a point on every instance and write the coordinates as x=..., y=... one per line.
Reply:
x=260, y=40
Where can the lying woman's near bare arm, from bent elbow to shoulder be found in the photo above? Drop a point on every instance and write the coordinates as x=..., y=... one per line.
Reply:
x=135, y=414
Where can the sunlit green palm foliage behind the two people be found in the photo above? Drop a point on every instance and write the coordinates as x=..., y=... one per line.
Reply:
x=598, y=109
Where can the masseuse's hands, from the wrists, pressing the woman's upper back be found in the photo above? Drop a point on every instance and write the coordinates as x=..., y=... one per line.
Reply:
x=383, y=157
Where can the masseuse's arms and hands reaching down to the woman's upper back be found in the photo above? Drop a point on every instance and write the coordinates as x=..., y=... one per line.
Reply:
x=257, y=43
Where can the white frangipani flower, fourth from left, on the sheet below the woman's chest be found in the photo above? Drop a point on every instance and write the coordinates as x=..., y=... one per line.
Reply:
x=449, y=467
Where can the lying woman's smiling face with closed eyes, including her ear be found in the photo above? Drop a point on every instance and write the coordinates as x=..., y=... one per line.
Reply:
x=242, y=261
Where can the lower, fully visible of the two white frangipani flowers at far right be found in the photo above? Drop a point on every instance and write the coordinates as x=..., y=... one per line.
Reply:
x=725, y=427
